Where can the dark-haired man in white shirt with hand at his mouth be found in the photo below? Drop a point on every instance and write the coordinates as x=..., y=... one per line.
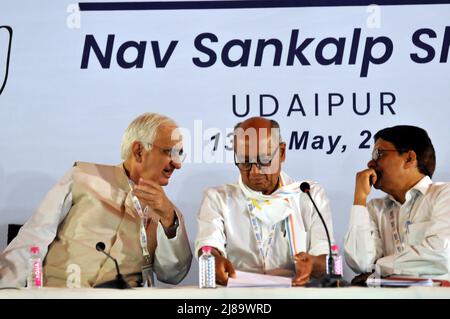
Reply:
x=408, y=231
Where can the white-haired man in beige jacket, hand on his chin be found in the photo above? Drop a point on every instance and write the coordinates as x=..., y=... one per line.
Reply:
x=93, y=203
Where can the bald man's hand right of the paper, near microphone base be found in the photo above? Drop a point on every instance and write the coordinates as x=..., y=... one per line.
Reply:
x=307, y=265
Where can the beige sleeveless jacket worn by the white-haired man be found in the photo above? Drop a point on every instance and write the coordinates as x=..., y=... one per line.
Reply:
x=101, y=211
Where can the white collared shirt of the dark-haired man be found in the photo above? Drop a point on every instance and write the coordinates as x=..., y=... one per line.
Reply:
x=423, y=226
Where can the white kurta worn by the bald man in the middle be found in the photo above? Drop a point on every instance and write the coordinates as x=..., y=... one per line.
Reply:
x=224, y=223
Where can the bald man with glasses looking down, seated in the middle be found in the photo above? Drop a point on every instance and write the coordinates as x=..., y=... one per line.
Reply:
x=263, y=223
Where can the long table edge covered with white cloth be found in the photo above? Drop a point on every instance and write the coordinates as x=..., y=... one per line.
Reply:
x=193, y=292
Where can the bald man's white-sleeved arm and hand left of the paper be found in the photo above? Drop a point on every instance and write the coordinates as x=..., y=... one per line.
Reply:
x=211, y=232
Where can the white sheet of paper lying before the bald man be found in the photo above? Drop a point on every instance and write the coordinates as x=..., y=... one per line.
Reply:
x=247, y=279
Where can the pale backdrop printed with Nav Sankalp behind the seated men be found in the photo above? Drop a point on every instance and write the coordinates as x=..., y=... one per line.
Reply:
x=57, y=108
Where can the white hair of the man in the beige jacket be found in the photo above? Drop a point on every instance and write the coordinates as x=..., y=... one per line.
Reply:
x=143, y=129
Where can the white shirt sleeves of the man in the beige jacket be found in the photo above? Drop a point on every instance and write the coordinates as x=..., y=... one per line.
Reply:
x=172, y=256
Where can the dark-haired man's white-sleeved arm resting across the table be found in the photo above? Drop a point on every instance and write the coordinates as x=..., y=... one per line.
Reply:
x=427, y=250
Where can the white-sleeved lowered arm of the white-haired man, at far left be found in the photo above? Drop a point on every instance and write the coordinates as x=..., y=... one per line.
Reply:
x=40, y=230
